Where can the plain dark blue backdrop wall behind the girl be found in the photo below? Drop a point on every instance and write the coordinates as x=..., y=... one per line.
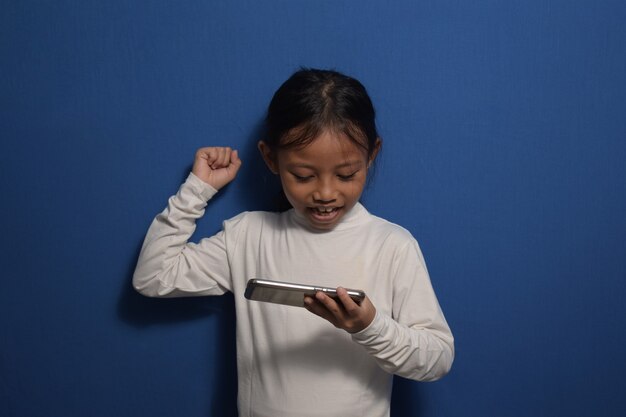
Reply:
x=504, y=154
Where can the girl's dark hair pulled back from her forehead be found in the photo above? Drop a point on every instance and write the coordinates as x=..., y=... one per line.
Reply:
x=314, y=100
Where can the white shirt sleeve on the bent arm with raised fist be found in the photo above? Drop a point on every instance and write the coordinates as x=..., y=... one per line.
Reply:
x=170, y=266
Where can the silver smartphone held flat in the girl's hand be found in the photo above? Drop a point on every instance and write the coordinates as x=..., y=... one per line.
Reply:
x=290, y=294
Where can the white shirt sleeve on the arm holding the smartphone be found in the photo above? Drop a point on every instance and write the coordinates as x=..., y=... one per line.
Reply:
x=415, y=343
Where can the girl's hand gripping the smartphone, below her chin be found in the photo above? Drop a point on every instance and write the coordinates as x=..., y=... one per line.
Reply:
x=344, y=313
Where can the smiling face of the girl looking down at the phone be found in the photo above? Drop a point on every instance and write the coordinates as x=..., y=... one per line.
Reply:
x=323, y=180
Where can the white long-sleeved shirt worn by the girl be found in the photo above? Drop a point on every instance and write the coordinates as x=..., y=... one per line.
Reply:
x=291, y=362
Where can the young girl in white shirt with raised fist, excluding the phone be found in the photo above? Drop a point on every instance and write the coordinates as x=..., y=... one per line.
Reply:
x=331, y=358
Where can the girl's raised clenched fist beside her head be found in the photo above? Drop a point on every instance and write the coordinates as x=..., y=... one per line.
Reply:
x=217, y=166
